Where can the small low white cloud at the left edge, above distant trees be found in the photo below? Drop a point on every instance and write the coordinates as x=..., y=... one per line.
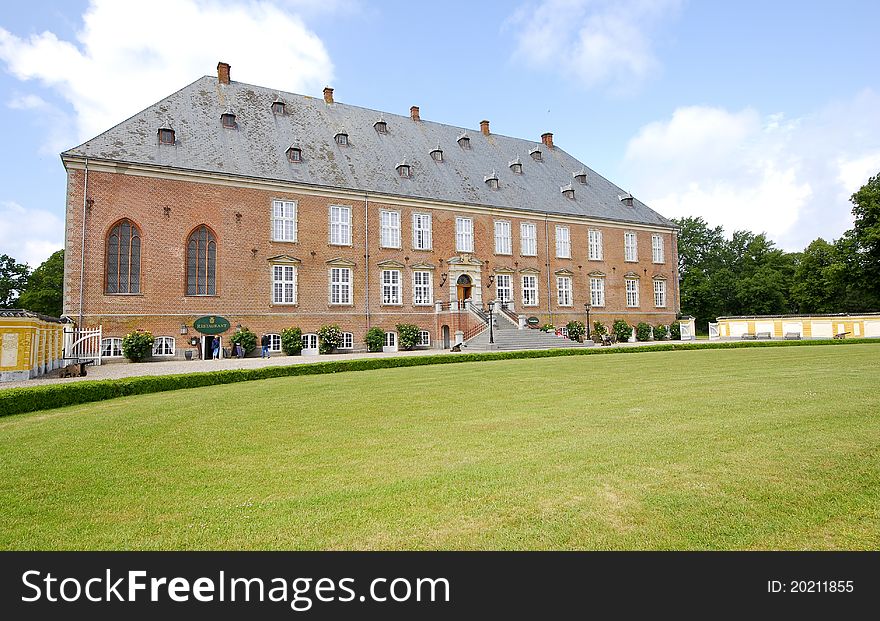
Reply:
x=29, y=235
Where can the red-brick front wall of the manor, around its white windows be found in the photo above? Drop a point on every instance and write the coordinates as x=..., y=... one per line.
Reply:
x=244, y=276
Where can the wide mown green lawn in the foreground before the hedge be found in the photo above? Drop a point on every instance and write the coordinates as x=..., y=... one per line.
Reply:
x=716, y=449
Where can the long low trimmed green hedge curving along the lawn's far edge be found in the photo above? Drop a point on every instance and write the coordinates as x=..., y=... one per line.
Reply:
x=31, y=399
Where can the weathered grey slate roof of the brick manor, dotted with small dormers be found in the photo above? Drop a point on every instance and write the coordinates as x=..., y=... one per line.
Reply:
x=257, y=149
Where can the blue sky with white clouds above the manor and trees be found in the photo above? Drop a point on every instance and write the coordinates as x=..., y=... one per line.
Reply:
x=756, y=115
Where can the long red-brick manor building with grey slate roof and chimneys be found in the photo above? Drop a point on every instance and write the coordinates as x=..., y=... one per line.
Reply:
x=275, y=210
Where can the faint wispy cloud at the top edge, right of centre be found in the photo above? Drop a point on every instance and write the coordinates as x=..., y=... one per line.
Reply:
x=599, y=42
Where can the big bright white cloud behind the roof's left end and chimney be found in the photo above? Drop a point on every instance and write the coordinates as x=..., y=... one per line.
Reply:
x=129, y=55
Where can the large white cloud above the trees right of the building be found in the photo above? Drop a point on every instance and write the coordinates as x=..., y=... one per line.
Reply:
x=744, y=170
